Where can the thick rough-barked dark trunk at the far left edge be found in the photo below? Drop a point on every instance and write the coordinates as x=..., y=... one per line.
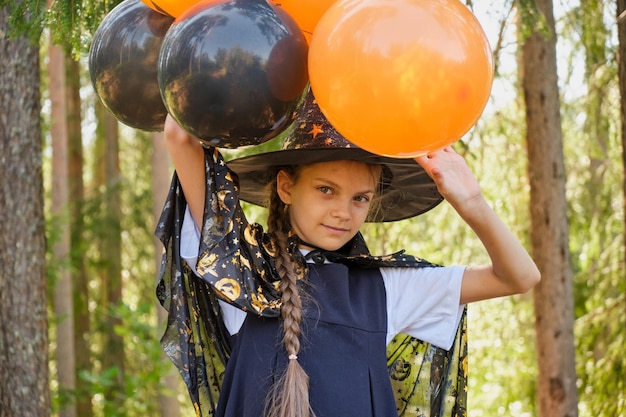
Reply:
x=24, y=388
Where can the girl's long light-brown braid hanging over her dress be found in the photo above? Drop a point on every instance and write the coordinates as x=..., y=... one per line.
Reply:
x=289, y=397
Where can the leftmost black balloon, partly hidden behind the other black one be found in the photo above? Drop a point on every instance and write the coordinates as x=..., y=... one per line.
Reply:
x=123, y=64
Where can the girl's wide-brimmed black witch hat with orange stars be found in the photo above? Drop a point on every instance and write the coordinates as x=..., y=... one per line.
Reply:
x=407, y=189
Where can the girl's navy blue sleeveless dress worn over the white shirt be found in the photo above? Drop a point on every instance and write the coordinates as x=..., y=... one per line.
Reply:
x=343, y=349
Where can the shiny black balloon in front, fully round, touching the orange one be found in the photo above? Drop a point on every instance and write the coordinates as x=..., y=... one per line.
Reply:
x=234, y=73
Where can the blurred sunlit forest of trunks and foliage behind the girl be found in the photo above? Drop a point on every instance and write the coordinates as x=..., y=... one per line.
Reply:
x=80, y=325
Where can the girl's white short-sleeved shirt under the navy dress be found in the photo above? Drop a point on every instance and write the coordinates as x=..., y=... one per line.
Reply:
x=421, y=302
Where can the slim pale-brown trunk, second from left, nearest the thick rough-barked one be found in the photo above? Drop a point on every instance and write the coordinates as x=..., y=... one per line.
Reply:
x=63, y=305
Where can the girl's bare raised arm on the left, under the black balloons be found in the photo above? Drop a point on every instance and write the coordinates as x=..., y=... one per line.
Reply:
x=188, y=157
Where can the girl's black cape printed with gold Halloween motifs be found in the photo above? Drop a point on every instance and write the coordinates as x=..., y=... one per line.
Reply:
x=235, y=264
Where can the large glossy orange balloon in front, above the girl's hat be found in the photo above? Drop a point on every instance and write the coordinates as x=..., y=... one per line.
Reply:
x=400, y=78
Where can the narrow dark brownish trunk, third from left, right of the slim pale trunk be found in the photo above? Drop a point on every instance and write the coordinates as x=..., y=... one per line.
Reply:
x=80, y=280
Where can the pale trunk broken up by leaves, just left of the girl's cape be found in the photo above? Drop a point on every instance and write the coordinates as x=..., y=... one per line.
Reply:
x=161, y=177
